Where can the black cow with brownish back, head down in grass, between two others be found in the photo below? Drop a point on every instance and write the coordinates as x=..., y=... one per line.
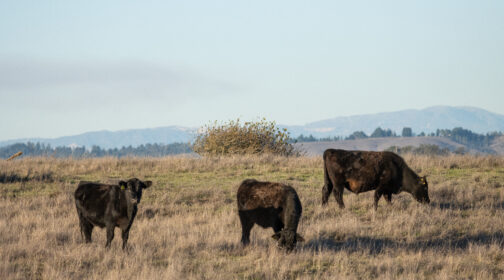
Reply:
x=270, y=205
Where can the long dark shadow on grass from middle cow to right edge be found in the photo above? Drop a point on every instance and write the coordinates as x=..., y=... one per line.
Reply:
x=374, y=246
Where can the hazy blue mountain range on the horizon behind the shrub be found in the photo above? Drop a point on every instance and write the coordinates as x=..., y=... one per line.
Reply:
x=426, y=120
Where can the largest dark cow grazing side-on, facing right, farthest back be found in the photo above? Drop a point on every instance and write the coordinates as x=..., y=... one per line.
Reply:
x=362, y=171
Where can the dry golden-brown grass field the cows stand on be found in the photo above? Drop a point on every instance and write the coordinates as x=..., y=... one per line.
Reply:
x=188, y=227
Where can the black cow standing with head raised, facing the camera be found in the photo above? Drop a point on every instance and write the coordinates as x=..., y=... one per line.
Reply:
x=108, y=206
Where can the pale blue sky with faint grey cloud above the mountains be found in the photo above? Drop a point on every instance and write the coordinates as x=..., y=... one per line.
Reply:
x=69, y=67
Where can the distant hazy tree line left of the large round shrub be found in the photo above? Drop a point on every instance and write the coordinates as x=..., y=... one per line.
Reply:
x=148, y=150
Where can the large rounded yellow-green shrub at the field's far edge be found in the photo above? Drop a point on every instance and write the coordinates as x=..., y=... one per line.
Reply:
x=233, y=137
